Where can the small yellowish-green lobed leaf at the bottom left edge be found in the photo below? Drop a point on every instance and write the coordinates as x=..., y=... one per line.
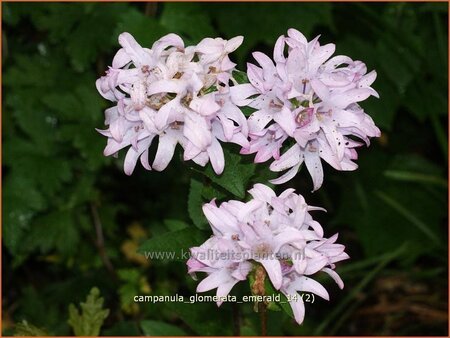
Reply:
x=89, y=322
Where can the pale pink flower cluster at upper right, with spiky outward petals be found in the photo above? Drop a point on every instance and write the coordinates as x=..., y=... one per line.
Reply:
x=311, y=99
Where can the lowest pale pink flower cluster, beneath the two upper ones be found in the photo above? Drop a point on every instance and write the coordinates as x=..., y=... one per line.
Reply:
x=275, y=232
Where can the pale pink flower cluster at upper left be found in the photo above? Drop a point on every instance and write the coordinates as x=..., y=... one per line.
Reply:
x=176, y=93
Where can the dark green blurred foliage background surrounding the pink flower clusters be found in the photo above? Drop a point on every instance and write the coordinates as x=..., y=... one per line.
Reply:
x=59, y=190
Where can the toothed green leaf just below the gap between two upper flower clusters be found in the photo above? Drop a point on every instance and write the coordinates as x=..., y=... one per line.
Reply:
x=236, y=175
